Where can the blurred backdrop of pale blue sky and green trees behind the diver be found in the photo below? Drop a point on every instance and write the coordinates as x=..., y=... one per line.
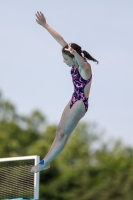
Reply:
x=36, y=85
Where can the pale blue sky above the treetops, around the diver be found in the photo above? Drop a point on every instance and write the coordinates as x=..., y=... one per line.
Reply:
x=32, y=72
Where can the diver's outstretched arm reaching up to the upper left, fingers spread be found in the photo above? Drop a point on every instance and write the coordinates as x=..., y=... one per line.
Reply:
x=42, y=21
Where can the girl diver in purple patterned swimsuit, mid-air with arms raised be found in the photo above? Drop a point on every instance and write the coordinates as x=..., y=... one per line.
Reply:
x=77, y=107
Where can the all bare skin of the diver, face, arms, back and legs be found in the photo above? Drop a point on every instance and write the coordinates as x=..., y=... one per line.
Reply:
x=70, y=117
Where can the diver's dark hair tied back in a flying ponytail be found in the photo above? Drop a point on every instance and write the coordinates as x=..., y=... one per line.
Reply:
x=79, y=50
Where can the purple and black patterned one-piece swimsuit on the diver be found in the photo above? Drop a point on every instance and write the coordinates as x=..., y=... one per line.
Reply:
x=79, y=85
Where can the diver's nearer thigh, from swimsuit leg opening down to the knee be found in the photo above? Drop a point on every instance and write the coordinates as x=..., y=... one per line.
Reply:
x=73, y=116
